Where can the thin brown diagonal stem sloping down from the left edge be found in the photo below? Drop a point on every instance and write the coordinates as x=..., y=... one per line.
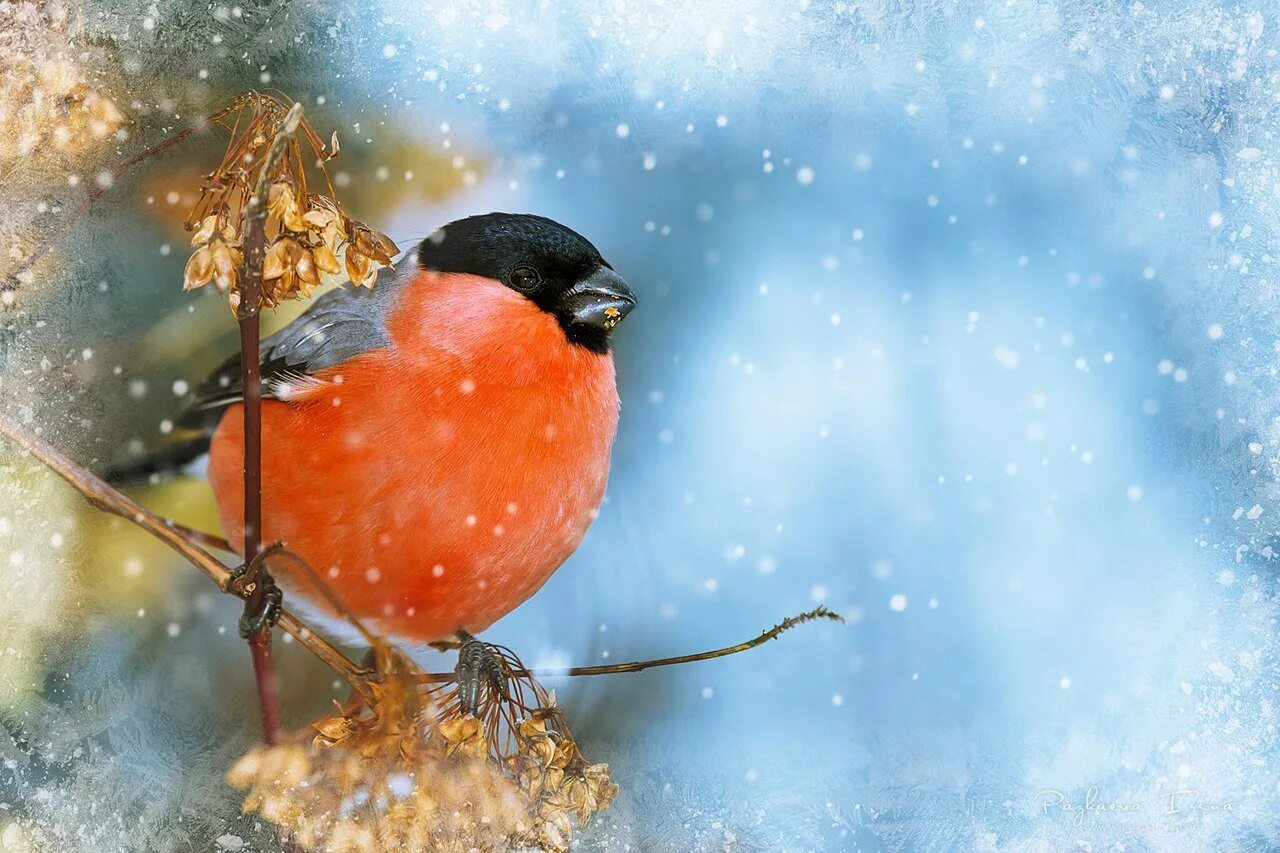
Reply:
x=100, y=495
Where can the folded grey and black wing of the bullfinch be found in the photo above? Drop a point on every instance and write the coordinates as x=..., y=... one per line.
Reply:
x=340, y=326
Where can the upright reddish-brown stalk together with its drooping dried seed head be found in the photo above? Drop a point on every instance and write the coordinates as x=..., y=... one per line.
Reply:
x=255, y=243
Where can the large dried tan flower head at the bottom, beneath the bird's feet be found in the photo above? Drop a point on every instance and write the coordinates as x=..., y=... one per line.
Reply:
x=399, y=770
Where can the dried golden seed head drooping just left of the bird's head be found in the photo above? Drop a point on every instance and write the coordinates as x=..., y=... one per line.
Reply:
x=309, y=239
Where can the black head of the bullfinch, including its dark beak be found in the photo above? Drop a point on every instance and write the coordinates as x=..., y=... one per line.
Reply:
x=552, y=266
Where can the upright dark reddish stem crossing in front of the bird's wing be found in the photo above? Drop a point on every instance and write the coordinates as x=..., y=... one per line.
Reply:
x=248, y=314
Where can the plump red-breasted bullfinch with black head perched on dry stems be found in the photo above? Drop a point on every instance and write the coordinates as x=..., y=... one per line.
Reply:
x=433, y=448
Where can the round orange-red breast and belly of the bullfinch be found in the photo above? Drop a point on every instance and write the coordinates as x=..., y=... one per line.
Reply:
x=437, y=483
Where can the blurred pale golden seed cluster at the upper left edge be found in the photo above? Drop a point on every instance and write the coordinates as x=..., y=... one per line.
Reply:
x=48, y=102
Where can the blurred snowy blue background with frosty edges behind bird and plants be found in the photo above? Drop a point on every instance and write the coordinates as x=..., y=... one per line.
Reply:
x=956, y=317
